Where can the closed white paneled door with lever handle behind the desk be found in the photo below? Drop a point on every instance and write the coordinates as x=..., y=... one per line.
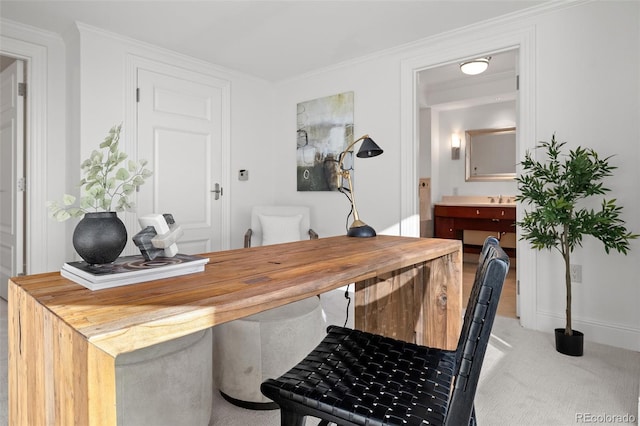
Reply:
x=180, y=133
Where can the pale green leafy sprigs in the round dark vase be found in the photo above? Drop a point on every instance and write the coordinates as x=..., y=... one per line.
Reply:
x=107, y=182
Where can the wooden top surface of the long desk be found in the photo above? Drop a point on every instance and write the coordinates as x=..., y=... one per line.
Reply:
x=235, y=283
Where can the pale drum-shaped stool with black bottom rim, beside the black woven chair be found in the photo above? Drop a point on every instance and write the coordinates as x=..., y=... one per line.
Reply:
x=251, y=349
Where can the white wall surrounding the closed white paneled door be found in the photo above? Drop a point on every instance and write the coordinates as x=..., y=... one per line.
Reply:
x=105, y=99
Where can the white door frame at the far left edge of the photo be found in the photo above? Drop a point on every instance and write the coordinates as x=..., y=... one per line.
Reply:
x=35, y=59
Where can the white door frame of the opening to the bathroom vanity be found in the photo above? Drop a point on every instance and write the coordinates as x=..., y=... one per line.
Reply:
x=474, y=41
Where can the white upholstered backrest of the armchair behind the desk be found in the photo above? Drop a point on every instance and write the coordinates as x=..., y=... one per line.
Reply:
x=279, y=224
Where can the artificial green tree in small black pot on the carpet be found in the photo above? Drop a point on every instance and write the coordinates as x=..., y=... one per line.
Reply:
x=556, y=216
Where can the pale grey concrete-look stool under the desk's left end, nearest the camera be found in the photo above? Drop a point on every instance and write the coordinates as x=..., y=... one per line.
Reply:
x=166, y=384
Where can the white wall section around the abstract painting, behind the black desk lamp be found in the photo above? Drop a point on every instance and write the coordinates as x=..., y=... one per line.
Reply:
x=376, y=181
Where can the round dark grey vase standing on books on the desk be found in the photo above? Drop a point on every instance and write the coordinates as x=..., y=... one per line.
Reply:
x=100, y=237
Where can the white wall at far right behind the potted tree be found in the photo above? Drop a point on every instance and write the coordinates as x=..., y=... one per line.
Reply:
x=588, y=81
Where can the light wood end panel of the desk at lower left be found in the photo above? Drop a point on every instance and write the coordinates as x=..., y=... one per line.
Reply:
x=56, y=377
